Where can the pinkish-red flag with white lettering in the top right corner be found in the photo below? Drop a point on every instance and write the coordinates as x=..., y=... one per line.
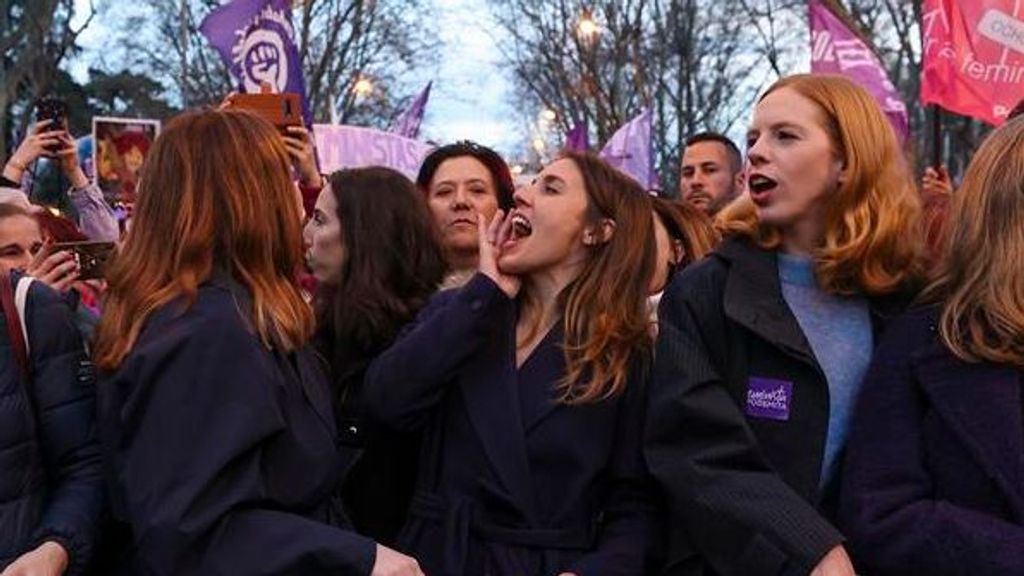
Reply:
x=973, y=57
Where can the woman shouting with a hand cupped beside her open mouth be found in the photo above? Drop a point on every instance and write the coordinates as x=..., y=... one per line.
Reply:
x=529, y=387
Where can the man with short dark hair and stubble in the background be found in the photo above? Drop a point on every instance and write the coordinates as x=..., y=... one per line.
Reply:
x=712, y=173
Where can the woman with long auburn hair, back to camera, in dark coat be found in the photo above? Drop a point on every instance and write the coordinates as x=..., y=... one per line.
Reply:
x=216, y=418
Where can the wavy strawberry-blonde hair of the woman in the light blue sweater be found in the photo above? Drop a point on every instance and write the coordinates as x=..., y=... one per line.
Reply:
x=873, y=241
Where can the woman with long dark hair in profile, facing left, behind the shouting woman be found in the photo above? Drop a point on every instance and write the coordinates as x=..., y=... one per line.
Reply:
x=372, y=248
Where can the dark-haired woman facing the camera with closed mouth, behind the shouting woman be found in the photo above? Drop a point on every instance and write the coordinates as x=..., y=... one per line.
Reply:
x=461, y=181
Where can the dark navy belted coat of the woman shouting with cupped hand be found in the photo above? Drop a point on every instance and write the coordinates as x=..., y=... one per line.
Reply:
x=510, y=481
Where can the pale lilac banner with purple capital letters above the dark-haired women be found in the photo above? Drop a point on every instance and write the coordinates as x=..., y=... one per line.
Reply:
x=354, y=147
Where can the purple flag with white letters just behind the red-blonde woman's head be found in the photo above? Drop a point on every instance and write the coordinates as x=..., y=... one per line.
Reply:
x=837, y=50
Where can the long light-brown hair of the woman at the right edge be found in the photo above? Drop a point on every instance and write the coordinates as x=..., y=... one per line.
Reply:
x=983, y=275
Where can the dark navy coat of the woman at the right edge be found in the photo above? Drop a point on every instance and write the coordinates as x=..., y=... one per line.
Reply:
x=935, y=471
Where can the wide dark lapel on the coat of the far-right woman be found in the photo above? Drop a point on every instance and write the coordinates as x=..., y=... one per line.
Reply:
x=983, y=404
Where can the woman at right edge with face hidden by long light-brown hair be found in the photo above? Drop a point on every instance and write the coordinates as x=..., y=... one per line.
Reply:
x=935, y=468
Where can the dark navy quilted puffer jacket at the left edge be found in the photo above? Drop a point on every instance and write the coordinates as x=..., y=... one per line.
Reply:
x=51, y=481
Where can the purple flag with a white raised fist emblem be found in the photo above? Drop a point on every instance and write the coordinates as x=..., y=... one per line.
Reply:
x=258, y=43
